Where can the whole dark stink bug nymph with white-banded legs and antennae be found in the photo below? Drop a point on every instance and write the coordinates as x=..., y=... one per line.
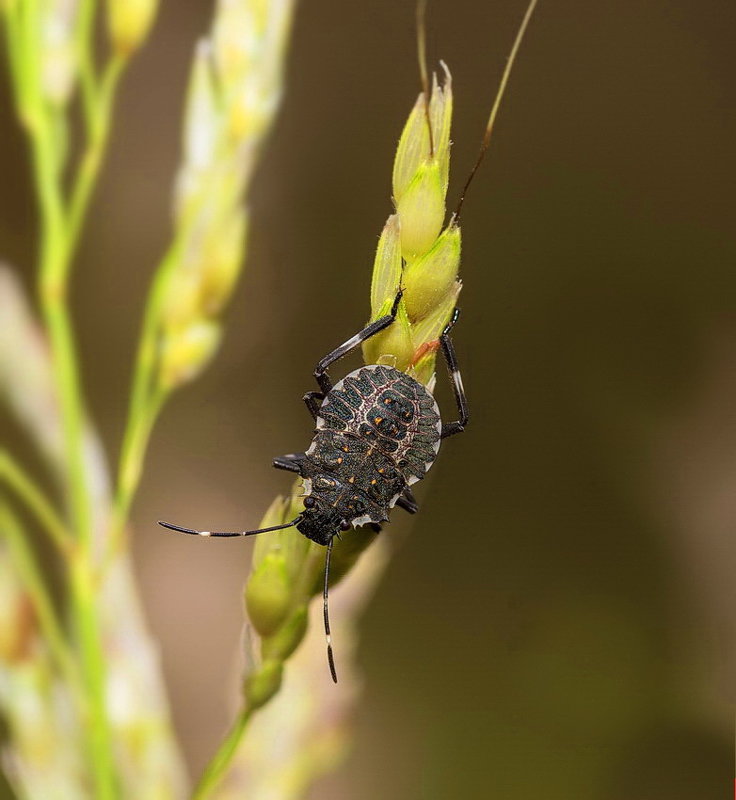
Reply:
x=377, y=432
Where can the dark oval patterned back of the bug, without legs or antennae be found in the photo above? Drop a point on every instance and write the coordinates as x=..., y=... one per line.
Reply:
x=377, y=431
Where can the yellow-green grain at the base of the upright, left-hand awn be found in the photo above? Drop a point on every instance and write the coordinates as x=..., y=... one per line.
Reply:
x=421, y=210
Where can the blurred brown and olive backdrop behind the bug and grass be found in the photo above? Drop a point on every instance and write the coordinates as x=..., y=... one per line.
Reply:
x=559, y=622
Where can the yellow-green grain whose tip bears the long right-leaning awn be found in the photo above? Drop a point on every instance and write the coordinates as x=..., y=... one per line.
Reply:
x=430, y=278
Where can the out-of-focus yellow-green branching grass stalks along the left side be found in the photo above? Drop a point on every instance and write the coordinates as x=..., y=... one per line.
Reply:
x=80, y=686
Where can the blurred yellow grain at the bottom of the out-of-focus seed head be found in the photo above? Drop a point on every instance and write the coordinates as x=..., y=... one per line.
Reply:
x=186, y=351
